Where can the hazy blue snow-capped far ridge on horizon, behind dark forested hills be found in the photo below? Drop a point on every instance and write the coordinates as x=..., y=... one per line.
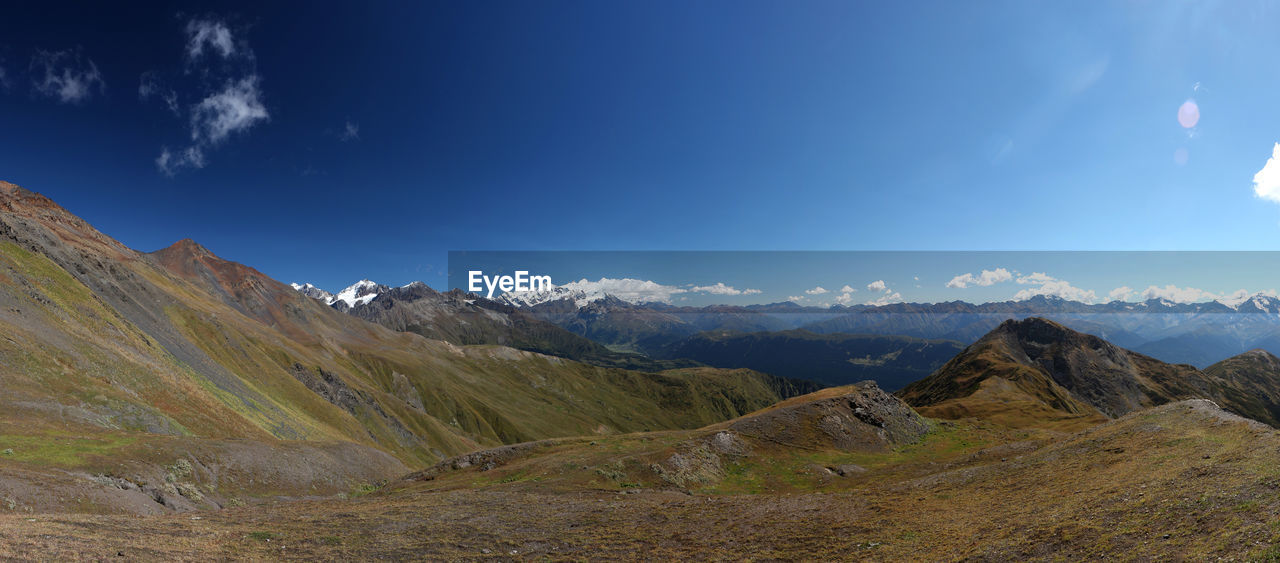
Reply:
x=1182, y=333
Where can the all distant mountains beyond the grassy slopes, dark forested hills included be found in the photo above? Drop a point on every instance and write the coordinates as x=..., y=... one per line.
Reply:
x=794, y=341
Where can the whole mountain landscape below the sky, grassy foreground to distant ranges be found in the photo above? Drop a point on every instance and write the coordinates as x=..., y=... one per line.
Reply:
x=175, y=405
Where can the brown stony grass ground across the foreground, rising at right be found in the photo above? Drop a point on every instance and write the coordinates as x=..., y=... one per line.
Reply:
x=1183, y=482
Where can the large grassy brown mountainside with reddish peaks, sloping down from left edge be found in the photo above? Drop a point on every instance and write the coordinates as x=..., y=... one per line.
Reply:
x=181, y=358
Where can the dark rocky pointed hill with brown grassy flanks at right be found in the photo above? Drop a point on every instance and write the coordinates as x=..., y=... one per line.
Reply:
x=1040, y=373
